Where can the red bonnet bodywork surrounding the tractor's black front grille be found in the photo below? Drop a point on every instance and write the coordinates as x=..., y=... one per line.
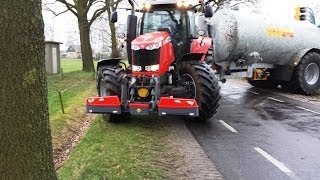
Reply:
x=166, y=51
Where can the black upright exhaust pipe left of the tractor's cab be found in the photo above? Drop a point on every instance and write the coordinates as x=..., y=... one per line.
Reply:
x=131, y=30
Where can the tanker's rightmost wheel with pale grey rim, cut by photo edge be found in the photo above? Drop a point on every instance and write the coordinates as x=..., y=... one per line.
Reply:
x=306, y=76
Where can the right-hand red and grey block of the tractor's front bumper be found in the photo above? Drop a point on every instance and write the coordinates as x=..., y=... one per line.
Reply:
x=177, y=106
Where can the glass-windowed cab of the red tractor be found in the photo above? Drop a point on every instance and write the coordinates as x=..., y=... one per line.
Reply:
x=172, y=19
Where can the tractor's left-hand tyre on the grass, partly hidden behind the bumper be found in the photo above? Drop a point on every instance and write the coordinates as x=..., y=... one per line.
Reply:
x=109, y=84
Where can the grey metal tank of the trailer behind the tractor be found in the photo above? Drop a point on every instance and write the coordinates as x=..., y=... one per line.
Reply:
x=244, y=35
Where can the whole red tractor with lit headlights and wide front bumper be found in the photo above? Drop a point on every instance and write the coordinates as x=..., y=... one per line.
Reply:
x=167, y=73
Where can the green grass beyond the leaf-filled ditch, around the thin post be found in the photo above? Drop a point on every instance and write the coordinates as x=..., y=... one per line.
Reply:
x=80, y=85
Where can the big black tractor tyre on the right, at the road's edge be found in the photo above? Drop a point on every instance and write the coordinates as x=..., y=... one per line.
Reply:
x=202, y=85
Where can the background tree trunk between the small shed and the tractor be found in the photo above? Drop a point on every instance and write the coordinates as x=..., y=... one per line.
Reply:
x=87, y=60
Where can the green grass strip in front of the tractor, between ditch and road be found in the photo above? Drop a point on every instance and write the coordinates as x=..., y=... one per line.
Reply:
x=132, y=150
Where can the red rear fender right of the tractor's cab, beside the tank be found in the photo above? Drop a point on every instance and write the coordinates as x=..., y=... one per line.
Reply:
x=197, y=47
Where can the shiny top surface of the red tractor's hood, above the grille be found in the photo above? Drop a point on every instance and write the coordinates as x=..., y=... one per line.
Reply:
x=151, y=41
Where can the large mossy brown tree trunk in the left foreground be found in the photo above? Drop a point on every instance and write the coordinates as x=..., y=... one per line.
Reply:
x=25, y=139
